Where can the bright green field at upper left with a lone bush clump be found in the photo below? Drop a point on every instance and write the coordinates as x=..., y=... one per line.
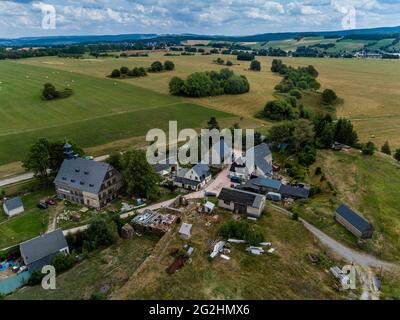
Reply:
x=100, y=110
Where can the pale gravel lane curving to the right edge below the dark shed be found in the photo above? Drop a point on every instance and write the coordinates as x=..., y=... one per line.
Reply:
x=350, y=255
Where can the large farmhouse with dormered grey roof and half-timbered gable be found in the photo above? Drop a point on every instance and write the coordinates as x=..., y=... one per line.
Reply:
x=87, y=182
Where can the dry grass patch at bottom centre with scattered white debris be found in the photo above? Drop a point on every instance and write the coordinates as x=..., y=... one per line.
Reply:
x=287, y=274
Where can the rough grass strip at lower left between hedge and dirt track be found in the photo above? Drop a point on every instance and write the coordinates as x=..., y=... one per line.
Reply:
x=110, y=268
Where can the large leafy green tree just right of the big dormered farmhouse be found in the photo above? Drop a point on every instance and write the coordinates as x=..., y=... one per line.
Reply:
x=140, y=178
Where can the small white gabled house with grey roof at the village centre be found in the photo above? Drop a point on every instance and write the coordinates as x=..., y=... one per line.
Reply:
x=193, y=179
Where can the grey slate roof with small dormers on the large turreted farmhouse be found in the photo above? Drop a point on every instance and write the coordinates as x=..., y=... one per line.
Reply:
x=81, y=174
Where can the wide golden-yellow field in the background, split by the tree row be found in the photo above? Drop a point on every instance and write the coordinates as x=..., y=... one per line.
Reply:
x=369, y=87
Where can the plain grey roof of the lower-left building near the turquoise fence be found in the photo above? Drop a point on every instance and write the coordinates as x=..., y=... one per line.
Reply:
x=43, y=246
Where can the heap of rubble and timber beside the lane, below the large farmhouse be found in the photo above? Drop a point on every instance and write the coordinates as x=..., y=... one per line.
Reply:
x=153, y=221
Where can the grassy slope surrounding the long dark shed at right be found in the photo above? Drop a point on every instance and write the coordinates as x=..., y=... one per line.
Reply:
x=370, y=185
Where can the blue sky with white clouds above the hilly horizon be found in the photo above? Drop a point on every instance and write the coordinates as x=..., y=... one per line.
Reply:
x=26, y=18
